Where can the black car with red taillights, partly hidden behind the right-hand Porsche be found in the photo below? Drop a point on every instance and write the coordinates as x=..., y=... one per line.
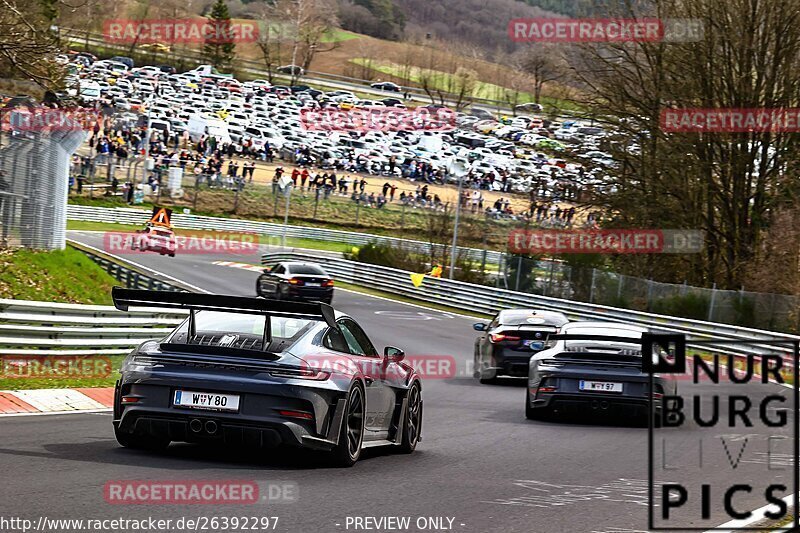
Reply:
x=507, y=343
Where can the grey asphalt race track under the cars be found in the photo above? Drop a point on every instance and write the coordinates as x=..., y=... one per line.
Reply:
x=480, y=463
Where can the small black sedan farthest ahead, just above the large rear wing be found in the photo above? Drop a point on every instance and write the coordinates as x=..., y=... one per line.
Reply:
x=295, y=281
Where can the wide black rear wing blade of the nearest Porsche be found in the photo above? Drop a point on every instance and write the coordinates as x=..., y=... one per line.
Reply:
x=124, y=299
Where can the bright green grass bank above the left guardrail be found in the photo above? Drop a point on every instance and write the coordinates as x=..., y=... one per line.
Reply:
x=58, y=276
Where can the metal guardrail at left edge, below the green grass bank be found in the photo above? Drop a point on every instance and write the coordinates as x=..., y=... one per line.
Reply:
x=56, y=329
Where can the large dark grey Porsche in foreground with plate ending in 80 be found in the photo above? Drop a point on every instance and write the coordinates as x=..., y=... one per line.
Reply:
x=264, y=373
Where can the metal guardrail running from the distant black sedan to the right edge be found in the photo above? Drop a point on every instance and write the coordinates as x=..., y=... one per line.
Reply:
x=721, y=338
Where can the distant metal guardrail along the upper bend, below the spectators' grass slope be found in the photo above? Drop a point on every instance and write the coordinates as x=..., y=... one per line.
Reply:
x=120, y=215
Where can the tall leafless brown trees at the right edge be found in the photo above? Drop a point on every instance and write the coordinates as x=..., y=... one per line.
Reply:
x=726, y=184
